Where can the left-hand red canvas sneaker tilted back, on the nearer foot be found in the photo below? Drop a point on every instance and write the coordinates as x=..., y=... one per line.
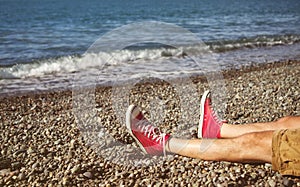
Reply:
x=150, y=139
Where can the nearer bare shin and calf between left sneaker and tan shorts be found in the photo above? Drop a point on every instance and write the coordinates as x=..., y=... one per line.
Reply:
x=251, y=147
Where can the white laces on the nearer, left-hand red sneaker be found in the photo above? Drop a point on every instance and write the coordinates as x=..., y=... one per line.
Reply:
x=148, y=129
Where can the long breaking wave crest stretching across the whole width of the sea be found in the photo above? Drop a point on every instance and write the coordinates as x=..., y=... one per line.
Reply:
x=102, y=60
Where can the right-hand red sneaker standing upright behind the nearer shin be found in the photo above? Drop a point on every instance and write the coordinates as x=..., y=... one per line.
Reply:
x=209, y=124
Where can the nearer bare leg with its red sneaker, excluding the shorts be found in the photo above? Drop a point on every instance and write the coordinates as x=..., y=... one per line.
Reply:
x=240, y=149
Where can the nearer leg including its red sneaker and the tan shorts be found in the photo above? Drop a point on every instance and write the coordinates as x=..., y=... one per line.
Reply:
x=280, y=147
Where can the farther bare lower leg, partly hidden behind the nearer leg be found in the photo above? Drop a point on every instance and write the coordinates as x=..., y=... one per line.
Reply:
x=230, y=131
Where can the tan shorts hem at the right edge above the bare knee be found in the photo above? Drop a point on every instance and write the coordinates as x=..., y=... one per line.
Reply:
x=286, y=152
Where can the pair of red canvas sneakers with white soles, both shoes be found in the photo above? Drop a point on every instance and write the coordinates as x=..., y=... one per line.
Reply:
x=152, y=141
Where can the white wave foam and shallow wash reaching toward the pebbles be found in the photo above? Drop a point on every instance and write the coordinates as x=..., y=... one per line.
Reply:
x=107, y=68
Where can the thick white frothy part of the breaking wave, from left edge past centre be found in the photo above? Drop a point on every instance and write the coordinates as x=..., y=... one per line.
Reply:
x=71, y=64
